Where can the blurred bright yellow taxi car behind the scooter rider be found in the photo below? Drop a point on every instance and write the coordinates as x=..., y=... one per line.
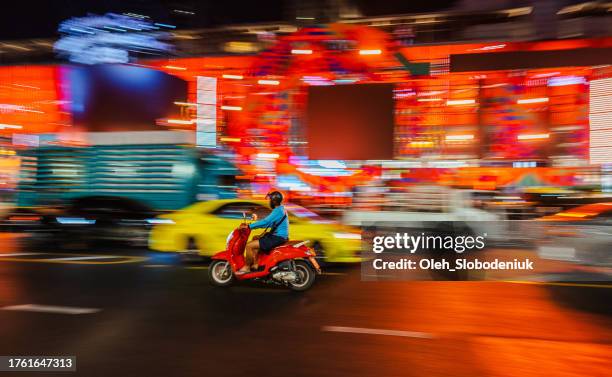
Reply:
x=203, y=228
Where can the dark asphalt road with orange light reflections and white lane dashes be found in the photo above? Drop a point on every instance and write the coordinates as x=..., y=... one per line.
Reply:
x=143, y=314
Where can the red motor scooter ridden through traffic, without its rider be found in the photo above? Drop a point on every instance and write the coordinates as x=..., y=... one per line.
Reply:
x=292, y=264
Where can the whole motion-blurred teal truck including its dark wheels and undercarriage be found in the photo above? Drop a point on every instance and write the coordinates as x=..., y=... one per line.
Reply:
x=114, y=190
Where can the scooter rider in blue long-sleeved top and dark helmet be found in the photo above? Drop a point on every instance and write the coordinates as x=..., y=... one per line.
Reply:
x=278, y=223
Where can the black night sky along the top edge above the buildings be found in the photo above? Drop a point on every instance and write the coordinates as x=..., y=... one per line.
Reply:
x=38, y=19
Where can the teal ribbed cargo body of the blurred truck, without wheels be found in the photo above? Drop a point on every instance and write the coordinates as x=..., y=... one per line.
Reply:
x=161, y=177
